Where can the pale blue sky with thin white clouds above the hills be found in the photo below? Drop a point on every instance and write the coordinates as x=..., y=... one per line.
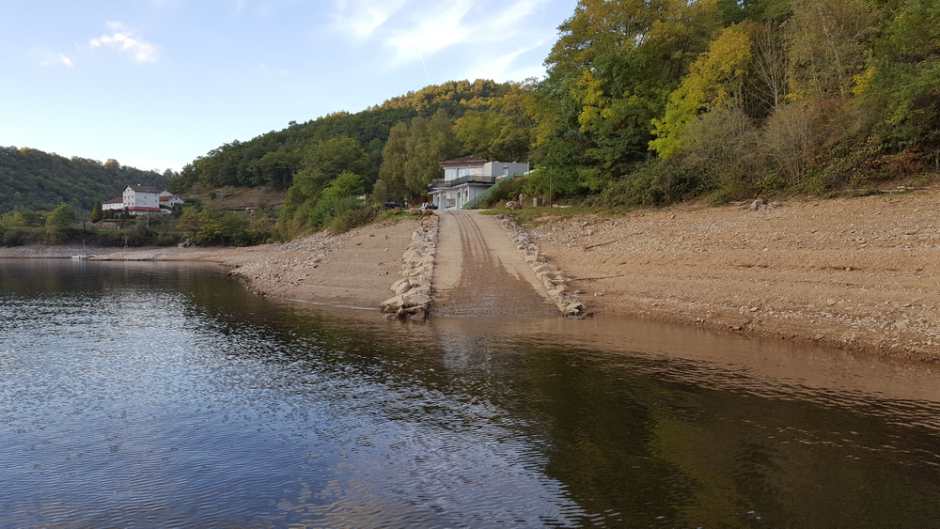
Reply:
x=156, y=83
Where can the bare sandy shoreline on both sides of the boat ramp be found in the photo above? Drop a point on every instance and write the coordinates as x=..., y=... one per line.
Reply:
x=859, y=274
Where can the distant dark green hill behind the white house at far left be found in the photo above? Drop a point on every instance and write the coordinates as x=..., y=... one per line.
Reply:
x=33, y=180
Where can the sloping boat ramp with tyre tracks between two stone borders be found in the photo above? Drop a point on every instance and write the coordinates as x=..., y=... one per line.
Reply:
x=478, y=271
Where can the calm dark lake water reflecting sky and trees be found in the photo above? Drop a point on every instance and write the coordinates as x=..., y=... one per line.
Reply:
x=141, y=395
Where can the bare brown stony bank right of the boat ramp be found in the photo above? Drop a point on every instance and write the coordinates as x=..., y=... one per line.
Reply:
x=861, y=274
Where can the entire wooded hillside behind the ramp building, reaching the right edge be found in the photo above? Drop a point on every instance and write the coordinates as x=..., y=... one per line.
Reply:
x=643, y=103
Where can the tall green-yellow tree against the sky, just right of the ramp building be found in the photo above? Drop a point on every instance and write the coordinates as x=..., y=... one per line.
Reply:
x=609, y=76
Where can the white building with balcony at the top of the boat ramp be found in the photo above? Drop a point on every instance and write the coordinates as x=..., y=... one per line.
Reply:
x=468, y=177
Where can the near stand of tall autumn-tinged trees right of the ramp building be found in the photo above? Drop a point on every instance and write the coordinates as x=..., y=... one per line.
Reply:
x=651, y=102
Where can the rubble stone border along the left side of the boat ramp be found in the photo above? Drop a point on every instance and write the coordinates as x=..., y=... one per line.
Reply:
x=413, y=291
